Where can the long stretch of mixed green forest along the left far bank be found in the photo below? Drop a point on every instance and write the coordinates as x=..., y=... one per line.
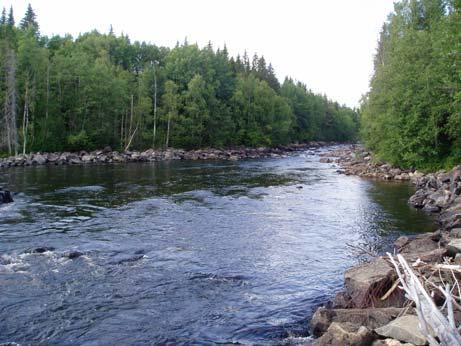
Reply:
x=60, y=93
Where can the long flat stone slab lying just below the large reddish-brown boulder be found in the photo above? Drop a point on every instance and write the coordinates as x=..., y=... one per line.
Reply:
x=371, y=318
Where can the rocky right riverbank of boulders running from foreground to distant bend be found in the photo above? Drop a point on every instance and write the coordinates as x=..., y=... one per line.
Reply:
x=372, y=310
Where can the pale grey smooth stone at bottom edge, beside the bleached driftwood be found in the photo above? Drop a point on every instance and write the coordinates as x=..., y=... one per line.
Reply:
x=405, y=329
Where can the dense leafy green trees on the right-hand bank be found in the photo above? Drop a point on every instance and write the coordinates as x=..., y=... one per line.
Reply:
x=412, y=114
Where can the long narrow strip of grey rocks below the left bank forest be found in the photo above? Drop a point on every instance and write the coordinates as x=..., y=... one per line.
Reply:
x=107, y=155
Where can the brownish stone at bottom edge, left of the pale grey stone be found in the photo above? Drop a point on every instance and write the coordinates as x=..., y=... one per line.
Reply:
x=345, y=334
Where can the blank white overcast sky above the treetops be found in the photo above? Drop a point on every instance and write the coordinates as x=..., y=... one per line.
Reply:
x=327, y=44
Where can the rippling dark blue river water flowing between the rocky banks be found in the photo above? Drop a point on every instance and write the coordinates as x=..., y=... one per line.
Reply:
x=185, y=252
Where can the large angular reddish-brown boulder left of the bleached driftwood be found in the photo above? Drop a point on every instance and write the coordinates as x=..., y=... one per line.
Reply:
x=367, y=283
